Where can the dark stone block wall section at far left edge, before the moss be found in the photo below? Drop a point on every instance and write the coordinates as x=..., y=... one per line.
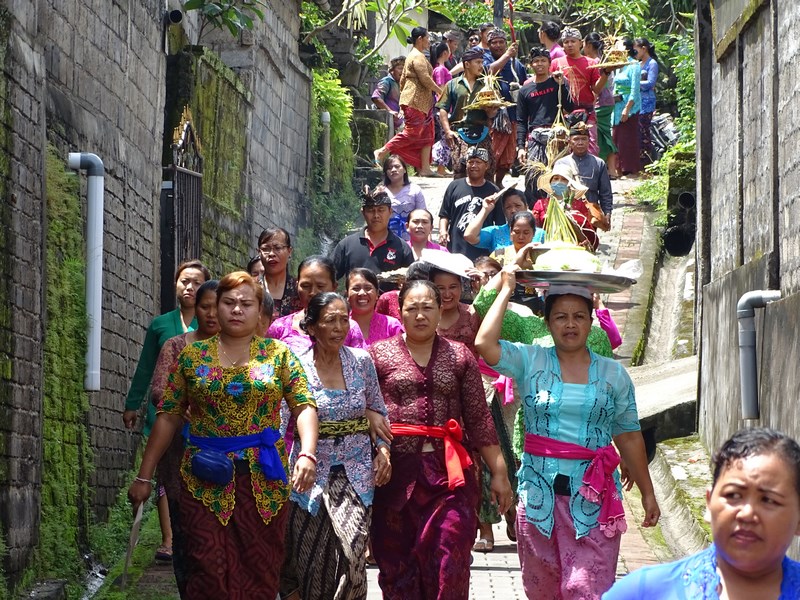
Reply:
x=21, y=290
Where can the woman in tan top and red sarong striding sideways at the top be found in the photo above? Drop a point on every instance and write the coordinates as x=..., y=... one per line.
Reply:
x=417, y=88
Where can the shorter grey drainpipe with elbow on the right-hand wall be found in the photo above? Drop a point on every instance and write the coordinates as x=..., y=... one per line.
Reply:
x=748, y=364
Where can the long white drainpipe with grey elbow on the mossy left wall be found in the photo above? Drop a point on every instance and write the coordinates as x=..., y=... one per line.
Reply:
x=94, y=261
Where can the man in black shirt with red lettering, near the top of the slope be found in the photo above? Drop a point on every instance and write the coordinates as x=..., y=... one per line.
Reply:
x=537, y=107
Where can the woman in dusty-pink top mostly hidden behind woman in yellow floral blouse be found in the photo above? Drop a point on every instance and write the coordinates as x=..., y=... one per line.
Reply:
x=169, y=466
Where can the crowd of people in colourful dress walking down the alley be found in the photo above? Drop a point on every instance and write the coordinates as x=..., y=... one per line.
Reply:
x=390, y=402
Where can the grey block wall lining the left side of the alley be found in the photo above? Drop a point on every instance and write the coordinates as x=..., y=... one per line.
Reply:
x=90, y=75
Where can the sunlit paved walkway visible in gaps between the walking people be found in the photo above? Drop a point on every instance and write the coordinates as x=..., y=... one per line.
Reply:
x=497, y=574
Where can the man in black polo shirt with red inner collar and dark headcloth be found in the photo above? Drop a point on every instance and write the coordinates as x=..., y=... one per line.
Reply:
x=375, y=248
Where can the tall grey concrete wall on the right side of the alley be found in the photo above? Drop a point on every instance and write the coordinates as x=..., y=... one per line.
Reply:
x=749, y=190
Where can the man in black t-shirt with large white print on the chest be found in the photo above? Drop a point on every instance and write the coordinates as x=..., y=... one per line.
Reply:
x=462, y=200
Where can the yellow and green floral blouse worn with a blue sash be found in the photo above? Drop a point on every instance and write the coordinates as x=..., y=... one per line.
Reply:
x=234, y=401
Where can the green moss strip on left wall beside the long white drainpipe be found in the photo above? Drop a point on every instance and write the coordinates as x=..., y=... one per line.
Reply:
x=66, y=450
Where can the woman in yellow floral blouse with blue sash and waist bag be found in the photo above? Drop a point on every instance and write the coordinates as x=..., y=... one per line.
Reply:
x=234, y=471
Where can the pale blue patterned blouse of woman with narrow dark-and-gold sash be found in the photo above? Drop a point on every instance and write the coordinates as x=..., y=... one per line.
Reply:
x=353, y=452
